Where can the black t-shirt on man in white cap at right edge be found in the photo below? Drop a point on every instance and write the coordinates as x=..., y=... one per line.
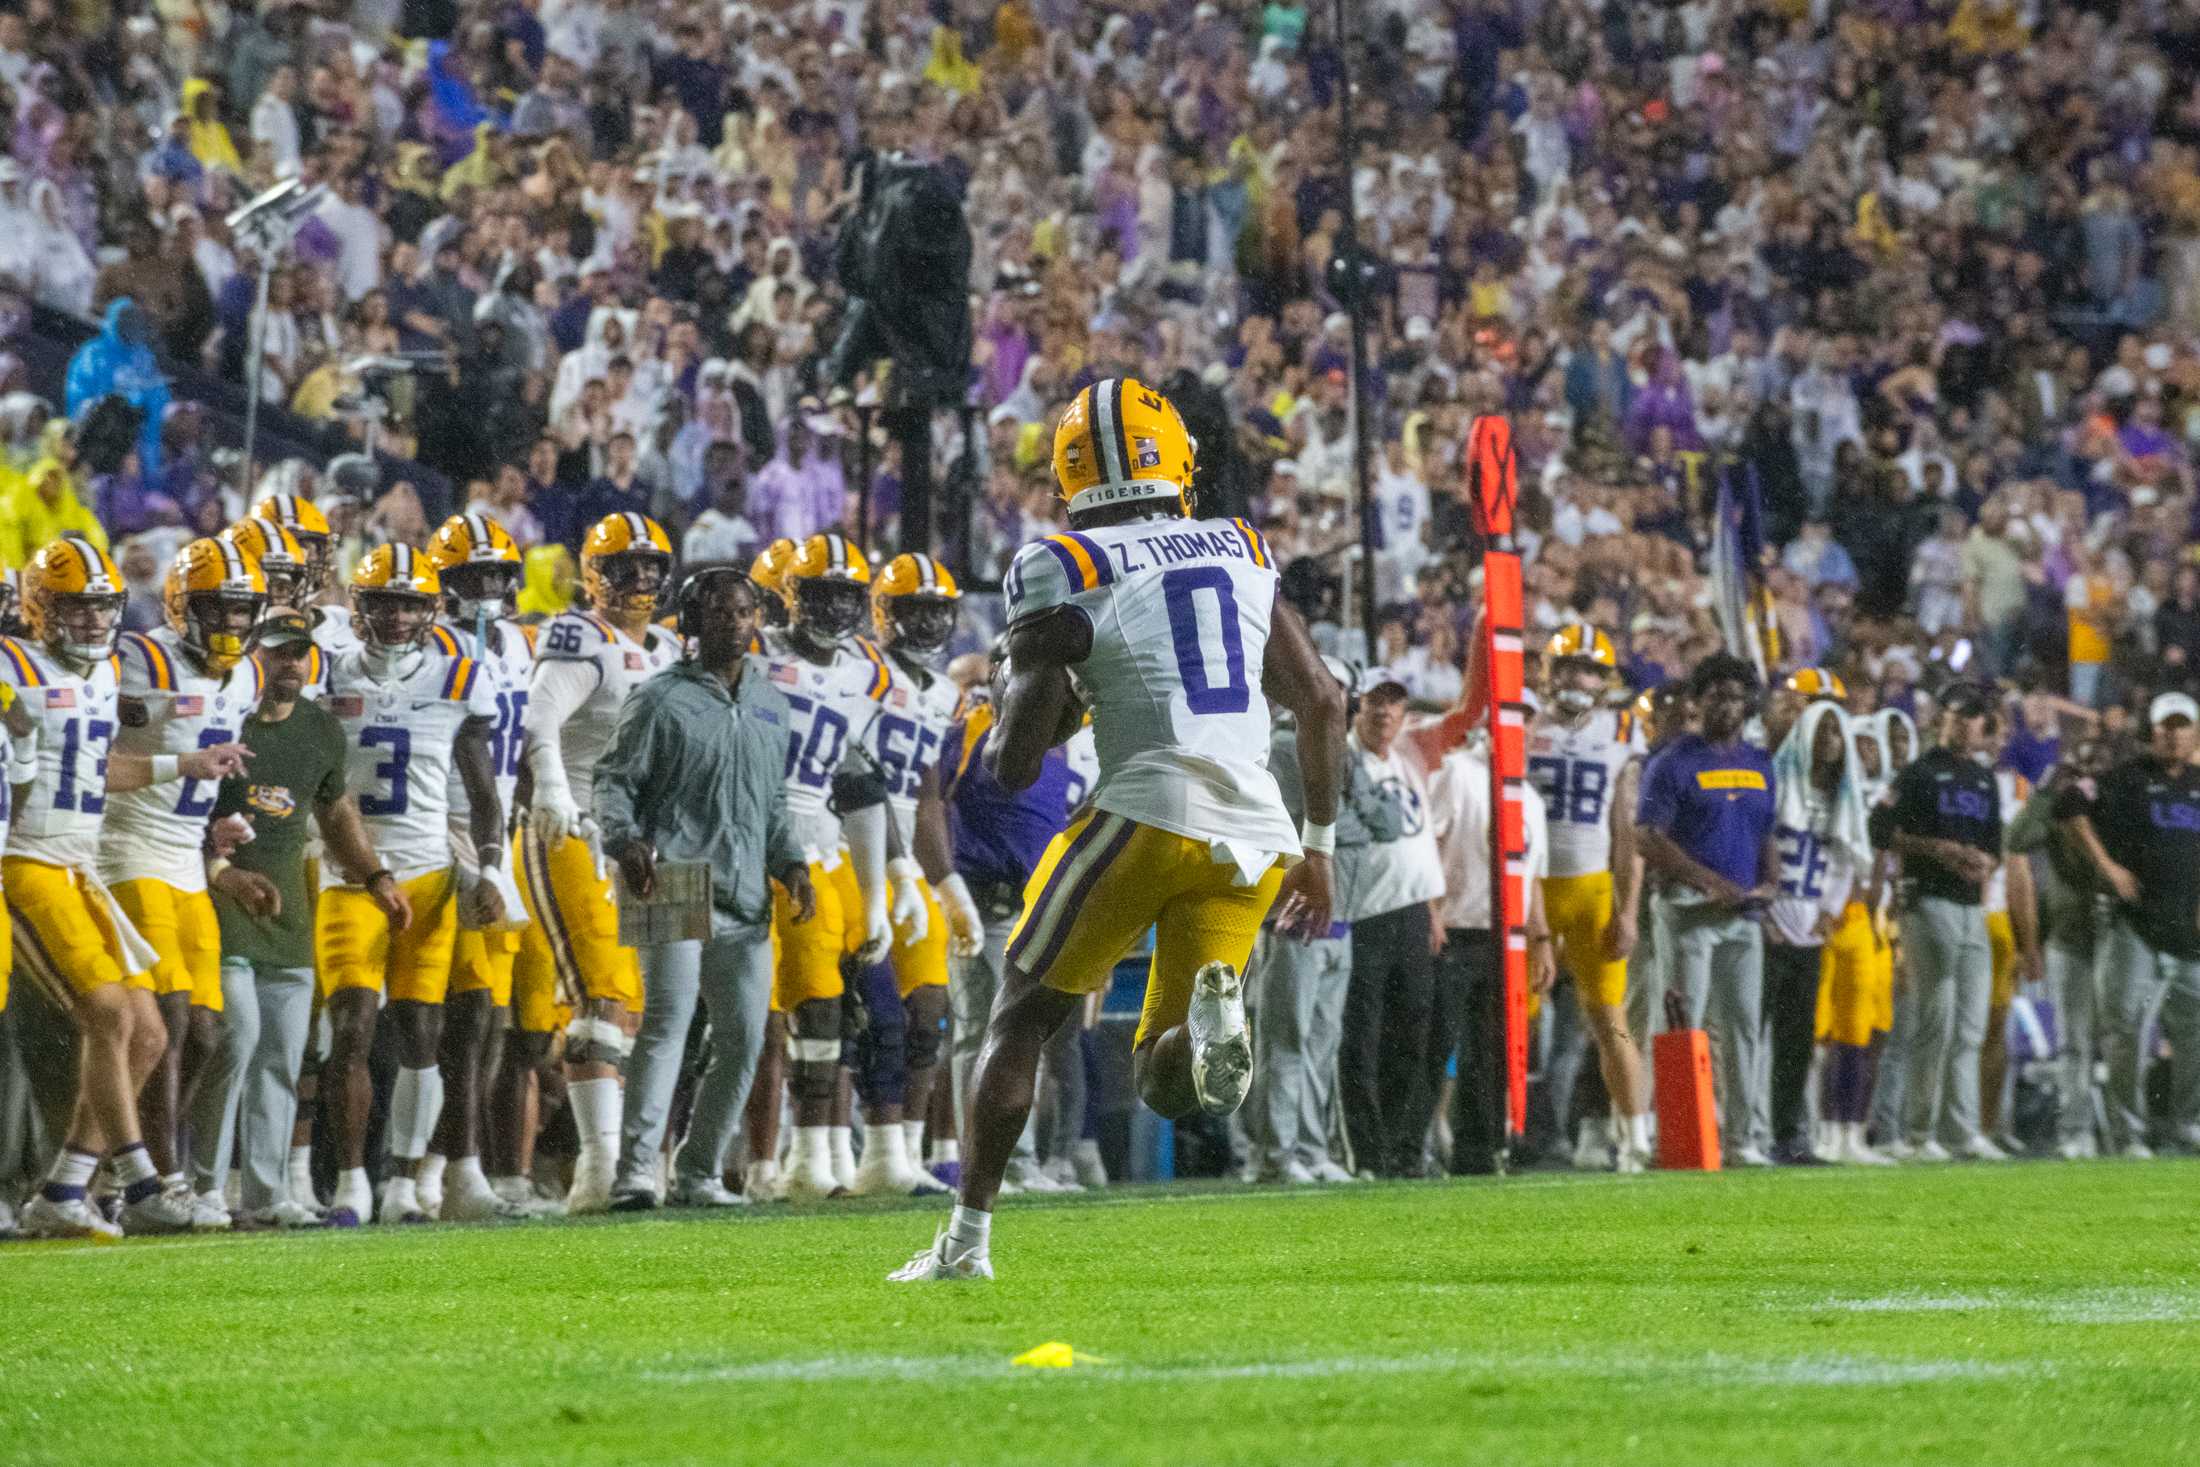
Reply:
x=2148, y=819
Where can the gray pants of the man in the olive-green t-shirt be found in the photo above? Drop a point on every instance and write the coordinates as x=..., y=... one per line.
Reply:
x=267, y=1015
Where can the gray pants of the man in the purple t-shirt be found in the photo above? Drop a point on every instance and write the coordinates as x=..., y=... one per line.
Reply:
x=1717, y=964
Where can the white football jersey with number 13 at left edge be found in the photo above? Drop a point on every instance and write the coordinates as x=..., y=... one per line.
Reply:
x=60, y=815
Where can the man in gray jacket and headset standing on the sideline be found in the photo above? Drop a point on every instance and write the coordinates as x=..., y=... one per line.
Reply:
x=696, y=775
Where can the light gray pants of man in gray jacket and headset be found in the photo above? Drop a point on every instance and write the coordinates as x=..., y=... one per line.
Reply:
x=734, y=980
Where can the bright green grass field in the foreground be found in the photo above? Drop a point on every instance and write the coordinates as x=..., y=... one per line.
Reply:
x=2040, y=1314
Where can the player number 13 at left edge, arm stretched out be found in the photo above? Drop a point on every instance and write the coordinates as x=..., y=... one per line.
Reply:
x=71, y=938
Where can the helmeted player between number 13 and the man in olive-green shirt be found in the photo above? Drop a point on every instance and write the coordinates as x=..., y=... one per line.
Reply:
x=186, y=685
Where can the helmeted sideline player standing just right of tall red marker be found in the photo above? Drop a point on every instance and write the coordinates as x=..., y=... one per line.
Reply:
x=1585, y=760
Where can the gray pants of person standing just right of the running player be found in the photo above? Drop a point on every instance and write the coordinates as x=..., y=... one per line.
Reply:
x=1299, y=1019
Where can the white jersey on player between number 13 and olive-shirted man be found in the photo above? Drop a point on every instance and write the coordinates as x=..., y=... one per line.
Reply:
x=168, y=707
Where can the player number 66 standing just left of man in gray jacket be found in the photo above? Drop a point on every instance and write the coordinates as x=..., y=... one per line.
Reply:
x=571, y=962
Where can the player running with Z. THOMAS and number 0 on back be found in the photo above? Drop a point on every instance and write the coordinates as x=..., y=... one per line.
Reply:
x=1176, y=635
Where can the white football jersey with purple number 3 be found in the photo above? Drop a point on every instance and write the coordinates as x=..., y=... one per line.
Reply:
x=397, y=738
